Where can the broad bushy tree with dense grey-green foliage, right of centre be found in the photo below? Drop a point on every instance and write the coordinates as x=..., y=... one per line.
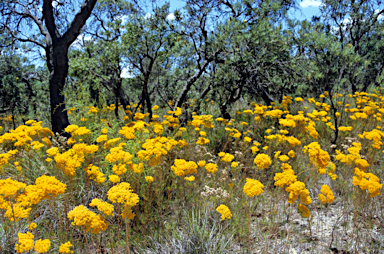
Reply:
x=258, y=58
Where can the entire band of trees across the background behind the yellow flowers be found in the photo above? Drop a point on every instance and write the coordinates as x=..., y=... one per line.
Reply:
x=126, y=52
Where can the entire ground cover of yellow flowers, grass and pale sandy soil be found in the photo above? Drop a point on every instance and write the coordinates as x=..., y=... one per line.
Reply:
x=301, y=176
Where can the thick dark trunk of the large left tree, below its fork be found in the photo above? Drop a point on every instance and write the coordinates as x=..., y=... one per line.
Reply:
x=58, y=74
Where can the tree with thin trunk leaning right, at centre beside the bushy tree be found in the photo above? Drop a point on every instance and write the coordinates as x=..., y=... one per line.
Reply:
x=195, y=26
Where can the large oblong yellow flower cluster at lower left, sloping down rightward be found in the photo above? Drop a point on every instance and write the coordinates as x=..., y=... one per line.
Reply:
x=83, y=217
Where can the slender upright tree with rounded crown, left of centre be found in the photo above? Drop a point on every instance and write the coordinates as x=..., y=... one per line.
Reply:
x=147, y=48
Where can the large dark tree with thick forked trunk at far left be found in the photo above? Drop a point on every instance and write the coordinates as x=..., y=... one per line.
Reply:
x=51, y=26
